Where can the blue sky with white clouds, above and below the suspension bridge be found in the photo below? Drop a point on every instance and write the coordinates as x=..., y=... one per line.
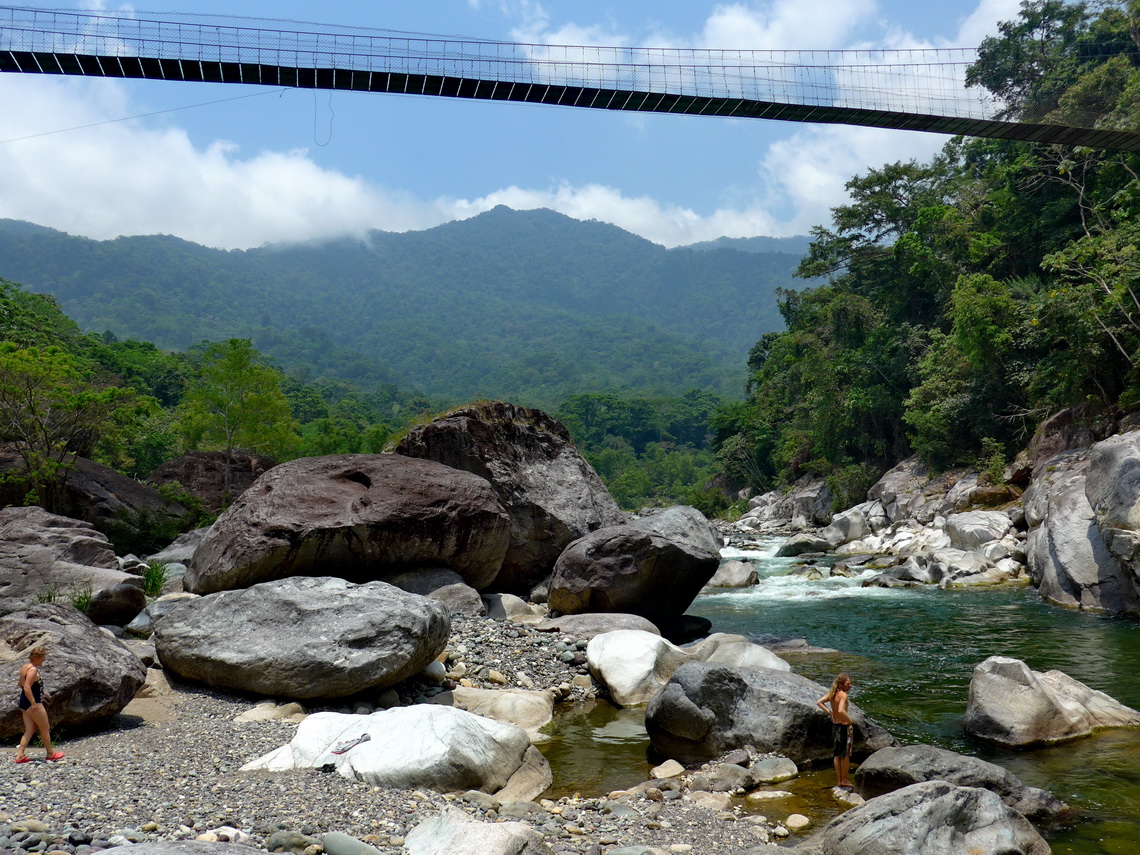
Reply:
x=257, y=166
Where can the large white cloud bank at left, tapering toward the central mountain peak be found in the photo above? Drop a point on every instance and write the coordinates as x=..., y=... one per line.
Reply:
x=124, y=178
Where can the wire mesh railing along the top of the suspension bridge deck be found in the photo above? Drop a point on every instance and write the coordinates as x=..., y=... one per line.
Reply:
x=923, y=82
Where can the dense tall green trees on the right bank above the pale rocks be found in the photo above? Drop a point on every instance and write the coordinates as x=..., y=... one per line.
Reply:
x=970, y=297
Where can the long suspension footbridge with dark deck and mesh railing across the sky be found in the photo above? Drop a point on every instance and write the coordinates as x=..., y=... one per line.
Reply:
x=917, y=91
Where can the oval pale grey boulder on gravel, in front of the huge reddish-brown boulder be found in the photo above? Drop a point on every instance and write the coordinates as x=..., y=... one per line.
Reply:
x=304, y=638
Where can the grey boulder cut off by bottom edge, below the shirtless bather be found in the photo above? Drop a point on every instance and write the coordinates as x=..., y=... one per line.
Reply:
x=935, y=818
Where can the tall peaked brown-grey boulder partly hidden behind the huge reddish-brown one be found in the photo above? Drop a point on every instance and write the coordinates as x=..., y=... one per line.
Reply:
x=550, y=492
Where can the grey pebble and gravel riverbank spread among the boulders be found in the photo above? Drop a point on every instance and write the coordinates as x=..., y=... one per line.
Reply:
x=169, y=769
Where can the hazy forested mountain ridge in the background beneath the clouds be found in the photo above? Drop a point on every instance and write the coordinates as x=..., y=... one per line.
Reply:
x=524, y=306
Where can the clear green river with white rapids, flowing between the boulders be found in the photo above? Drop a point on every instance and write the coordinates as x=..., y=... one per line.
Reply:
x=910, y=653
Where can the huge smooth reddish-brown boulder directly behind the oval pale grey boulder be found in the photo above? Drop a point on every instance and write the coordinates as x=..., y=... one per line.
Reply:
x=359, y=518
